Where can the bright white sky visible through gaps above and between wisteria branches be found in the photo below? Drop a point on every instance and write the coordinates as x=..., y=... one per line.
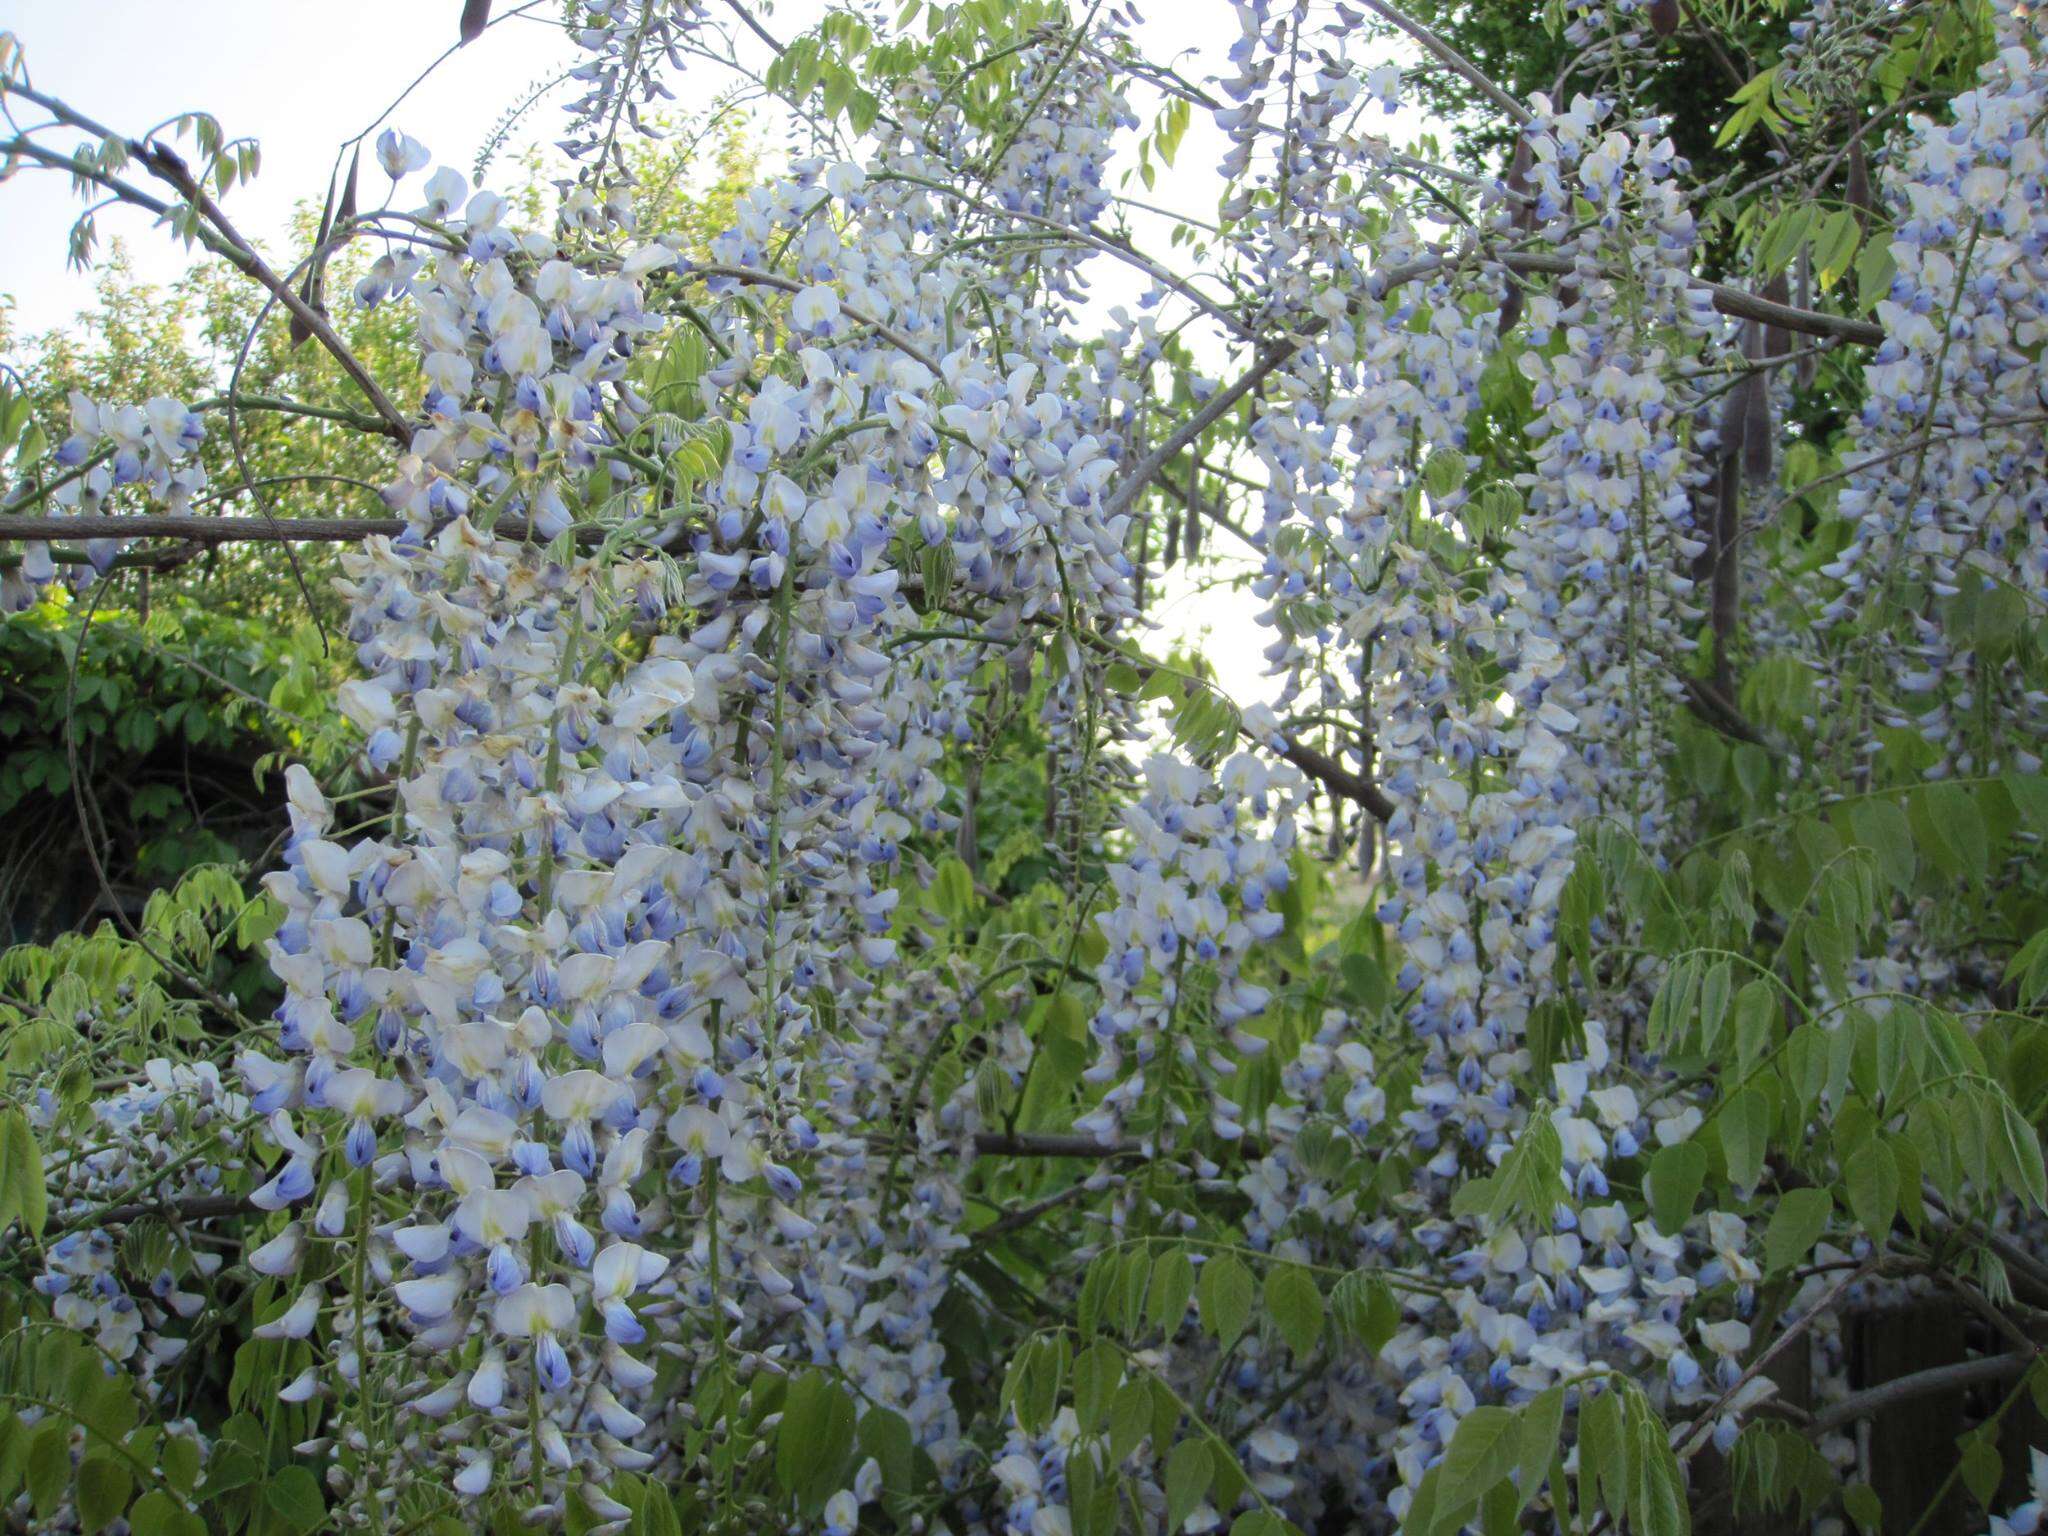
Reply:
x=302, y=77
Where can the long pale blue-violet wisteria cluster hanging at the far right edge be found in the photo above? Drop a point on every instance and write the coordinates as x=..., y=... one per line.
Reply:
x=1945, y=488
